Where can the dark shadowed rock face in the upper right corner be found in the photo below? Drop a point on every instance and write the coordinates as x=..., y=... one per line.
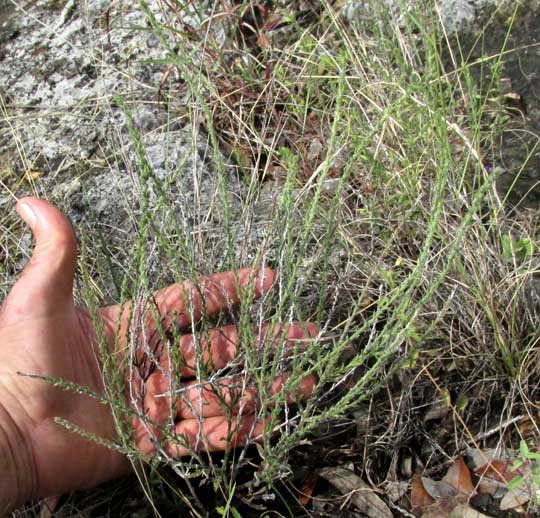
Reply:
x=511, y=28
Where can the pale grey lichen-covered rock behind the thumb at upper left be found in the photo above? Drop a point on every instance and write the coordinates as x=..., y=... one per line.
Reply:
x=64, y=137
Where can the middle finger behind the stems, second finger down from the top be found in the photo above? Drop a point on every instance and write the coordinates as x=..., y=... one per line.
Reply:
x=219, y=347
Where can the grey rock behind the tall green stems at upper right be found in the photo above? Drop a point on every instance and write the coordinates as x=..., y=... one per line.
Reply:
x=481, y=28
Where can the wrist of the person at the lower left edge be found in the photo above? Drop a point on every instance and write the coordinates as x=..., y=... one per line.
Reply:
x=18, y=475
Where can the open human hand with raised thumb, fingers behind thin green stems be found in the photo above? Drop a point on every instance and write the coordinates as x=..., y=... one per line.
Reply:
x=43, y=333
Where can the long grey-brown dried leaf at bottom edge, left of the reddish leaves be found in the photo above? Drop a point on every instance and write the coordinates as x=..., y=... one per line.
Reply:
x=361, y=495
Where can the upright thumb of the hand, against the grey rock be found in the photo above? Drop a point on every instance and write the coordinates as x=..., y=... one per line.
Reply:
x=48, y=276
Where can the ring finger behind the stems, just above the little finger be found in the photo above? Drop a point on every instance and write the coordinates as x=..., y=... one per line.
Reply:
x=234, y=397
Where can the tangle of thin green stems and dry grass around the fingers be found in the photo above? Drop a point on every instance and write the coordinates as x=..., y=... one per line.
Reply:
x=353, y=157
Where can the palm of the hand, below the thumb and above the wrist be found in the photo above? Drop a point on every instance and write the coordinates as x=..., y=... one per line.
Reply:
x=56, y=342
